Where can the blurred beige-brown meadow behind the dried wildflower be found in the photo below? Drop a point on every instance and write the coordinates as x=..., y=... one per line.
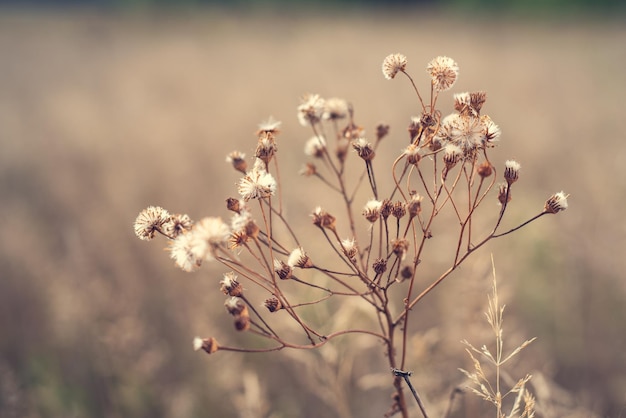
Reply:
x=103, y=114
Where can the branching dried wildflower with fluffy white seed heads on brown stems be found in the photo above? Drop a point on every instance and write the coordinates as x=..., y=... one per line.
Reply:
x=370, y=247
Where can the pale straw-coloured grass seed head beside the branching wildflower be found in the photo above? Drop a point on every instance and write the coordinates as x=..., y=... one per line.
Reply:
x=480, y=382
